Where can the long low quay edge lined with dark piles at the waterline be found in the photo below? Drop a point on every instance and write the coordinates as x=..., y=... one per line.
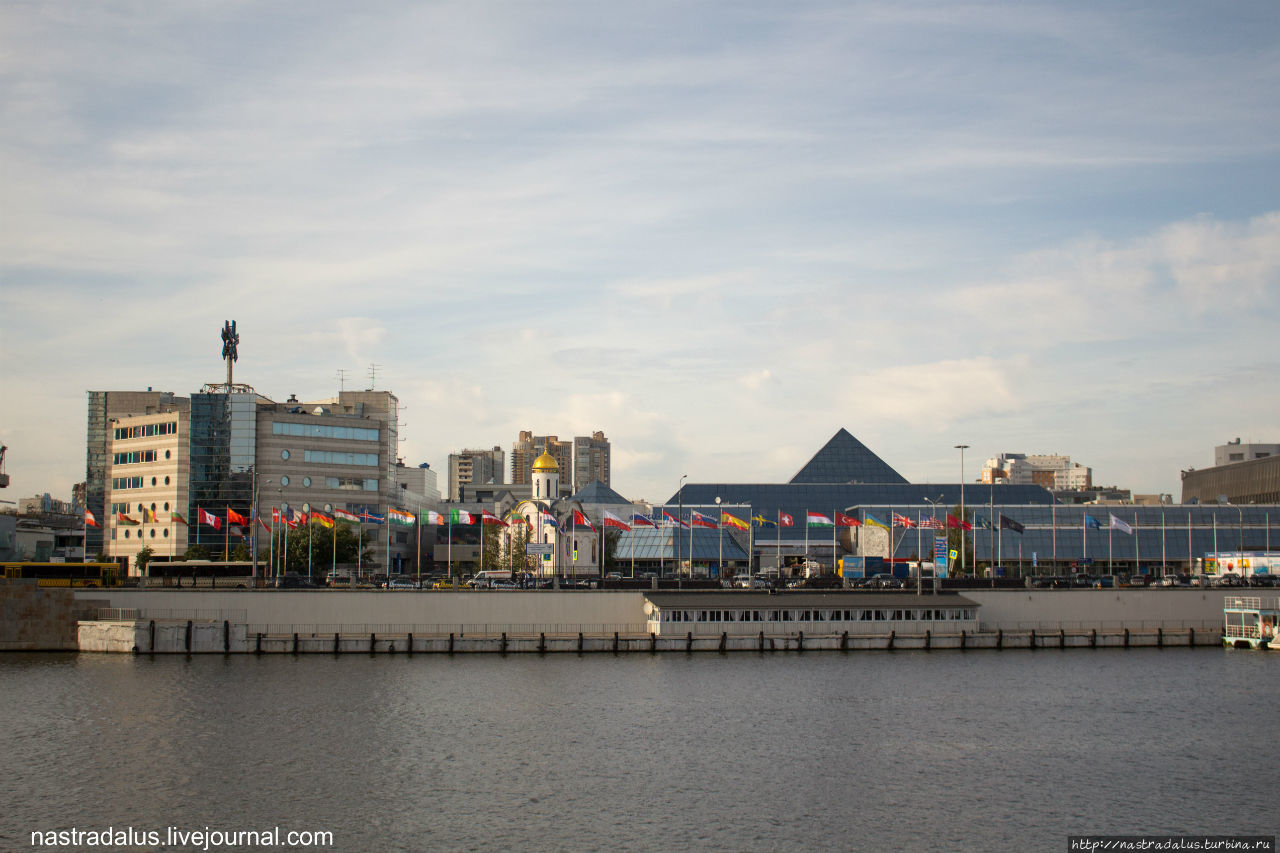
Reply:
x=193, y=637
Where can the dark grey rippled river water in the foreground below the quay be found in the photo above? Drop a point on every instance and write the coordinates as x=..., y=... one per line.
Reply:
x=872, y=751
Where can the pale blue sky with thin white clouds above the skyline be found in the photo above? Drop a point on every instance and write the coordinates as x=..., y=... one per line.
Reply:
x=719, y=232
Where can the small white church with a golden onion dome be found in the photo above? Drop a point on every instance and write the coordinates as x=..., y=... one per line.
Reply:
x=570, y=542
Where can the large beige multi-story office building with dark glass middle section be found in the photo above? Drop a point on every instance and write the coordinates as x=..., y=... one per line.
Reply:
x=164, y=462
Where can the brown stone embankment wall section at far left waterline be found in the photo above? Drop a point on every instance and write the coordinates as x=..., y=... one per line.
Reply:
x=40, y=619
